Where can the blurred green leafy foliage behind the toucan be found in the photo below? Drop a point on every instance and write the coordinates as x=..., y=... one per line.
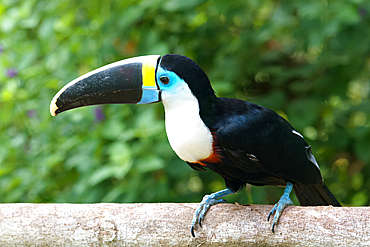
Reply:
x=307, y=60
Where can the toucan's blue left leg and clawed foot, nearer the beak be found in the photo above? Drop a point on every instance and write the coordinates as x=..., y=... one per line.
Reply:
x=205, y=204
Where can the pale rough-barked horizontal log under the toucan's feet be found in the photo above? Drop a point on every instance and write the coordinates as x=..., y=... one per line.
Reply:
x=168, y=224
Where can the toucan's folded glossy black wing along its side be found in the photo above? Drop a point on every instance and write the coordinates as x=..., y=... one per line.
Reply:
x=262, y=141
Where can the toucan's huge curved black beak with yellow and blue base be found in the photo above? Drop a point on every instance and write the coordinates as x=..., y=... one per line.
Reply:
x=130, y=81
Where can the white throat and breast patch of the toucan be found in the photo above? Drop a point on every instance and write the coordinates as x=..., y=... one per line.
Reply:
x=189, y=137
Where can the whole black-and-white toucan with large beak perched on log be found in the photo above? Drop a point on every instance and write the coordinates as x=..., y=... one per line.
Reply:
x=241, y=141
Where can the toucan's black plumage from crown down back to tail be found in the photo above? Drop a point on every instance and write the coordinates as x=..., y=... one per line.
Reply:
x=253, y=144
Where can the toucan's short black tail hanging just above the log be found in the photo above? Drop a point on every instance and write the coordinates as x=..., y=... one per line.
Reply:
x=315, y=195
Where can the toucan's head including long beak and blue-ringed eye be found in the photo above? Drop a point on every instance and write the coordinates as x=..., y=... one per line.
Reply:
x=173, y=79
